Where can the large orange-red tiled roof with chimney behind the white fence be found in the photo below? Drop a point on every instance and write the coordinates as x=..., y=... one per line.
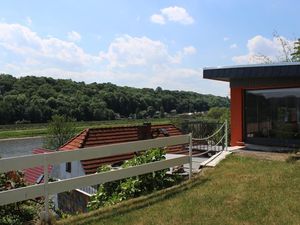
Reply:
x=103, y=136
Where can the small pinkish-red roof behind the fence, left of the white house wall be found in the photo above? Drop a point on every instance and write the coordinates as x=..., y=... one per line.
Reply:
x=32, y=174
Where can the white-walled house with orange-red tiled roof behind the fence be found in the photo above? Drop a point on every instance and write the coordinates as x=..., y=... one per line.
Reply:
x=77, y=200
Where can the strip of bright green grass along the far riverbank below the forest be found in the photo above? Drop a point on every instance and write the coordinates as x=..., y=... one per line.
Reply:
x=33, y=130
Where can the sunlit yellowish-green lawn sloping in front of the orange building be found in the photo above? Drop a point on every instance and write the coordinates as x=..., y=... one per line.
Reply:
x=240, y=190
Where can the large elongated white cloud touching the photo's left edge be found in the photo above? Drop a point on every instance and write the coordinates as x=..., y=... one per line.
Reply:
x=26, y=45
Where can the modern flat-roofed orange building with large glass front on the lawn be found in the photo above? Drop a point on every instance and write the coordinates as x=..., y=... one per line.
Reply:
x=265, y=103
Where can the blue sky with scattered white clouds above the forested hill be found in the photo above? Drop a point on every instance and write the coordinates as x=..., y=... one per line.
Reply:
x=142, y=43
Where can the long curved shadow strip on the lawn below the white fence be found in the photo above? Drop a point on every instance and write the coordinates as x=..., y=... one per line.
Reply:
x=134, y=204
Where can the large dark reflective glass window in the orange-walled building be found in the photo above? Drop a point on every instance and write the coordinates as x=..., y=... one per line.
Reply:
x=272, y=114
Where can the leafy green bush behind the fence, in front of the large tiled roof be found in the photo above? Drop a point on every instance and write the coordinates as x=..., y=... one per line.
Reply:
x=117, y=191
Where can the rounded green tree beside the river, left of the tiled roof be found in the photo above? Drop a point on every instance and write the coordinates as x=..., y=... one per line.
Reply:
x=60, y=129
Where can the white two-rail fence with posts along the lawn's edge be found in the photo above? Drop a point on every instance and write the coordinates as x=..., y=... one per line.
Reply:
x=49, y=188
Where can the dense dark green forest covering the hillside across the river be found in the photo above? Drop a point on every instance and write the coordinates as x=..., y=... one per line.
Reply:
x=37, y=99
